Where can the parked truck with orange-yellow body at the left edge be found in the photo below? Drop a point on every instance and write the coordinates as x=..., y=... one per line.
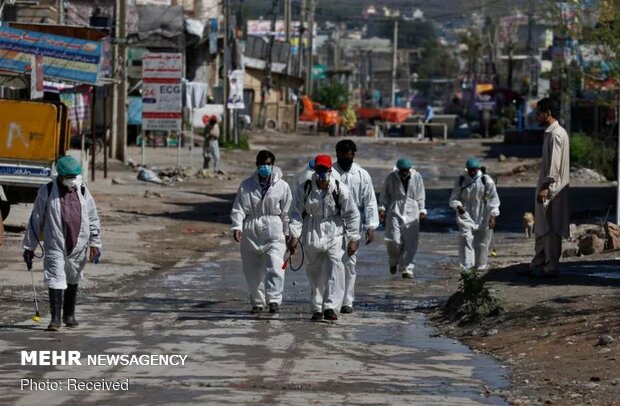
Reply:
x=33, y=135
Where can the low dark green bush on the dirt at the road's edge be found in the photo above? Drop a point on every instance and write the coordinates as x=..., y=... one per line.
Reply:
x=474, y=300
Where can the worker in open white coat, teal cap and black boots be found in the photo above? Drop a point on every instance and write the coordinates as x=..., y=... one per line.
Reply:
x=65, y=217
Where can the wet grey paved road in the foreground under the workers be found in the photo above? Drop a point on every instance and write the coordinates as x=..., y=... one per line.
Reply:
x=382, y=354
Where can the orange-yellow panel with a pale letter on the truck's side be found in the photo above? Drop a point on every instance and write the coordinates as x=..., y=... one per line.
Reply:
x=31, y=131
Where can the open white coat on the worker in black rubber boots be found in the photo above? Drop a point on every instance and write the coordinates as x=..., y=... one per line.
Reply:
x=59, y=268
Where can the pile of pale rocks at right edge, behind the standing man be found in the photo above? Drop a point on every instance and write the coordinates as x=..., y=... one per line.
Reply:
x=590, y=239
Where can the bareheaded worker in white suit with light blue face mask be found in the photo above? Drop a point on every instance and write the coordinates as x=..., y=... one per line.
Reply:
x=260, y=224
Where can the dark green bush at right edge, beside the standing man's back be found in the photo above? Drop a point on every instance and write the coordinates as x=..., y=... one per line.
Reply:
x=595, y=153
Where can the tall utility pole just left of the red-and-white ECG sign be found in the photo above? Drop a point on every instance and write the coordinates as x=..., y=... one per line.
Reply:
x=119, y=112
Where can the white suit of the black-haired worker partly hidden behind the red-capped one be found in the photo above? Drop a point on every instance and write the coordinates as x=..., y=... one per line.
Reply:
x=362, y=191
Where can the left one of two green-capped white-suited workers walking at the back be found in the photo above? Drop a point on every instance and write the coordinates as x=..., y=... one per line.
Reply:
x=403, y=208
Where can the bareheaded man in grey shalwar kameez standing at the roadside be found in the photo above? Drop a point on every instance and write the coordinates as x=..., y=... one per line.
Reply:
x=551, y=207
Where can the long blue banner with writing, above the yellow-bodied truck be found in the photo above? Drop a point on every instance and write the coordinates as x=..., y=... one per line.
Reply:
x=64, y=58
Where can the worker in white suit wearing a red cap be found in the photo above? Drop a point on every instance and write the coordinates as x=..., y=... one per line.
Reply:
x=324, y=213
